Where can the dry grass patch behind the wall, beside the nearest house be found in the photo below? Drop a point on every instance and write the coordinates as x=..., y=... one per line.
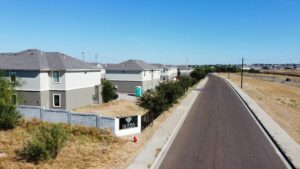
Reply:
x=114, y=108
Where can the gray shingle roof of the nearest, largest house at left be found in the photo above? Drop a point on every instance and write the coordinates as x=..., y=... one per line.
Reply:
x=33, y=59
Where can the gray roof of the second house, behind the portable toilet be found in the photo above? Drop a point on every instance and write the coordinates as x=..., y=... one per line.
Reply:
x=131, y=65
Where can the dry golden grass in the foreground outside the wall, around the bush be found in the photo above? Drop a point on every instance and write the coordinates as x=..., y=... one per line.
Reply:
x=87, y=148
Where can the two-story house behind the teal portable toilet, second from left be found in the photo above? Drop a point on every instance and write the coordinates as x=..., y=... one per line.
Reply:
x=131, y=73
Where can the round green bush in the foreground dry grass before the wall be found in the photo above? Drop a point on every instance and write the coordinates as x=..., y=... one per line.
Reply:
x=47, y=141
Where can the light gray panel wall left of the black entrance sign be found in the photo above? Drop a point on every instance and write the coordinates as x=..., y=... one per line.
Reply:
x=67, y=117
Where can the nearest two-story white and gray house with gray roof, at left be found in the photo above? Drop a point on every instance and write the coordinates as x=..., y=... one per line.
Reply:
x=52, y=79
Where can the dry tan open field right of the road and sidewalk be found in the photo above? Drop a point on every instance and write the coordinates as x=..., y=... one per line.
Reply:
x=279, y=100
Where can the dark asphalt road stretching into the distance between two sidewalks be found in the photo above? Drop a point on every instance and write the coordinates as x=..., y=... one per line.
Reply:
x=219, y=132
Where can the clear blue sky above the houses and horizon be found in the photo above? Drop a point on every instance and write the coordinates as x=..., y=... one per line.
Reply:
x=156, y=31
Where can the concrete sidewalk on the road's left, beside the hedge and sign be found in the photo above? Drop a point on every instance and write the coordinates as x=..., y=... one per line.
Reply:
x=157, y=147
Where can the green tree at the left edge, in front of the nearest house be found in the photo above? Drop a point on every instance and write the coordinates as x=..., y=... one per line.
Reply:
x=9, y=116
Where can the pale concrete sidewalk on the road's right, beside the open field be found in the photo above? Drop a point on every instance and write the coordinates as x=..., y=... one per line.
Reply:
x=290, y=147
